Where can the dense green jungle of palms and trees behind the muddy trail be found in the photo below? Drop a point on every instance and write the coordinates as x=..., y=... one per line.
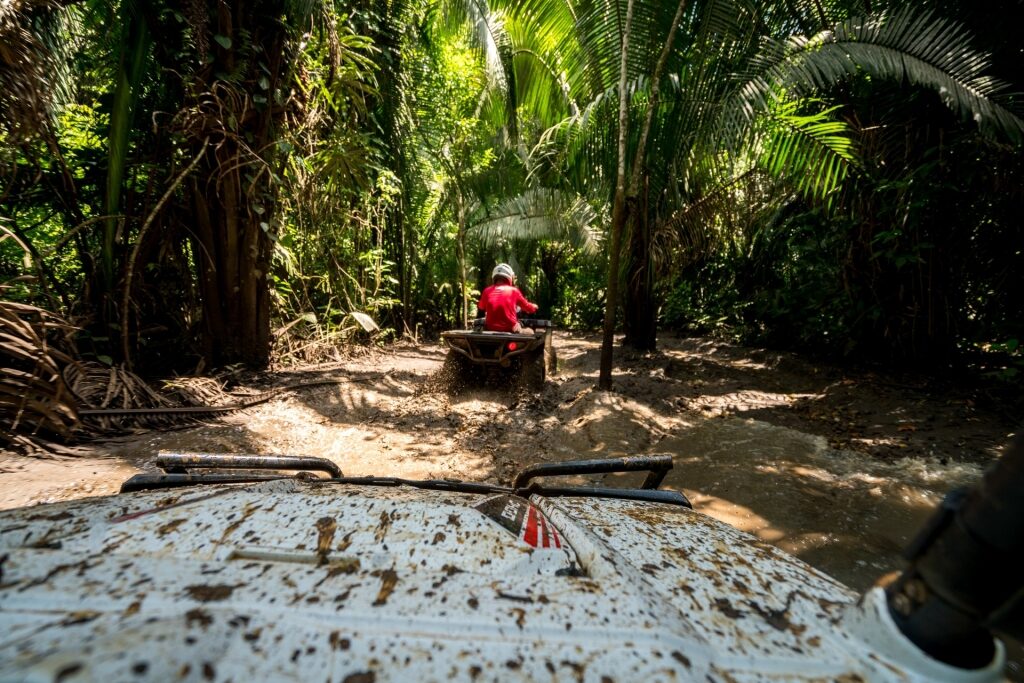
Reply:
x=202, y=184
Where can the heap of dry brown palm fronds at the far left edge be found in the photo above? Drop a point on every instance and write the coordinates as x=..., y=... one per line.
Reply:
x=35, y=402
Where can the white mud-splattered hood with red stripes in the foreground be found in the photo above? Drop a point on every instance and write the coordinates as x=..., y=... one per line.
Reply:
x=300, y=581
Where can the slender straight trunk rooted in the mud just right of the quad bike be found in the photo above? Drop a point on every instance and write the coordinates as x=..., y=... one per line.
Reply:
x=618, y=217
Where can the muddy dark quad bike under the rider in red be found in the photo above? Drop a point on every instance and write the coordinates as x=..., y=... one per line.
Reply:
x=530, y=356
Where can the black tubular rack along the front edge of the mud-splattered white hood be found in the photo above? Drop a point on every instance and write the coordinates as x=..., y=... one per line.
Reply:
x=180, y=471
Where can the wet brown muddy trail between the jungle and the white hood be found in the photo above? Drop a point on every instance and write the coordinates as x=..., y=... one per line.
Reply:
x=837, y=468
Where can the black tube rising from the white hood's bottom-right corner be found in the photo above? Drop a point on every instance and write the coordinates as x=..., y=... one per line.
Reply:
x=966, y=575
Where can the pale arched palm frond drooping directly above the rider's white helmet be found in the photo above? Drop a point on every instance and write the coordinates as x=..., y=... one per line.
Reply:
x=542, y=215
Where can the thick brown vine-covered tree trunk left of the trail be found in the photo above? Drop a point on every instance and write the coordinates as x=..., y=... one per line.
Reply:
x=235, y=196
